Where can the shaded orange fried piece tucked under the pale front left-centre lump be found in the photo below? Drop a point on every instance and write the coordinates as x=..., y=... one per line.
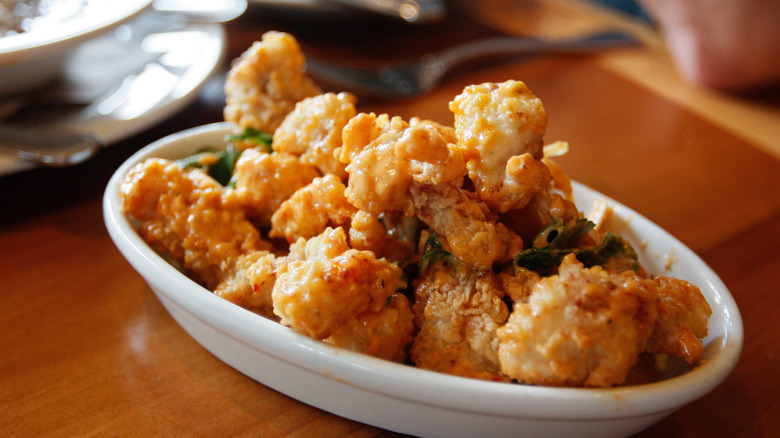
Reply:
x=385, y=334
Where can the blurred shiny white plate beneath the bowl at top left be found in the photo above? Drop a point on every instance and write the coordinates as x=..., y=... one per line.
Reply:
x=164, y=64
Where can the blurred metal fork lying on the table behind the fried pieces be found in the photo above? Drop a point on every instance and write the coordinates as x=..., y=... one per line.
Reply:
x=409, y=79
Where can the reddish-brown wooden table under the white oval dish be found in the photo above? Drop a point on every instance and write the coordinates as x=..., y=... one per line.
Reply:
x=87, y=350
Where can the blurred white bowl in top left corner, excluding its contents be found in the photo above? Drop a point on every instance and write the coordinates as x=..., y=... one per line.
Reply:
x=30, y=59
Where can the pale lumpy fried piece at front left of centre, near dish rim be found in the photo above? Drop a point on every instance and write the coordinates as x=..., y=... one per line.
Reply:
x=325, y=285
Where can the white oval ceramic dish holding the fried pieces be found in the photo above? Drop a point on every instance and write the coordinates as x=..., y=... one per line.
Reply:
x=414, y=401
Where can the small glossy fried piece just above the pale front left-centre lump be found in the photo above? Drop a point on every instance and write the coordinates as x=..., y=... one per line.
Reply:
x=311, y=209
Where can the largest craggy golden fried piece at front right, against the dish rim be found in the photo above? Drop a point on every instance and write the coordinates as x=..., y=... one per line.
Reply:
x=583, y=327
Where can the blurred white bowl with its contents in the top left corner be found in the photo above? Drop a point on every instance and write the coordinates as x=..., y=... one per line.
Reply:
x=32, y=50
